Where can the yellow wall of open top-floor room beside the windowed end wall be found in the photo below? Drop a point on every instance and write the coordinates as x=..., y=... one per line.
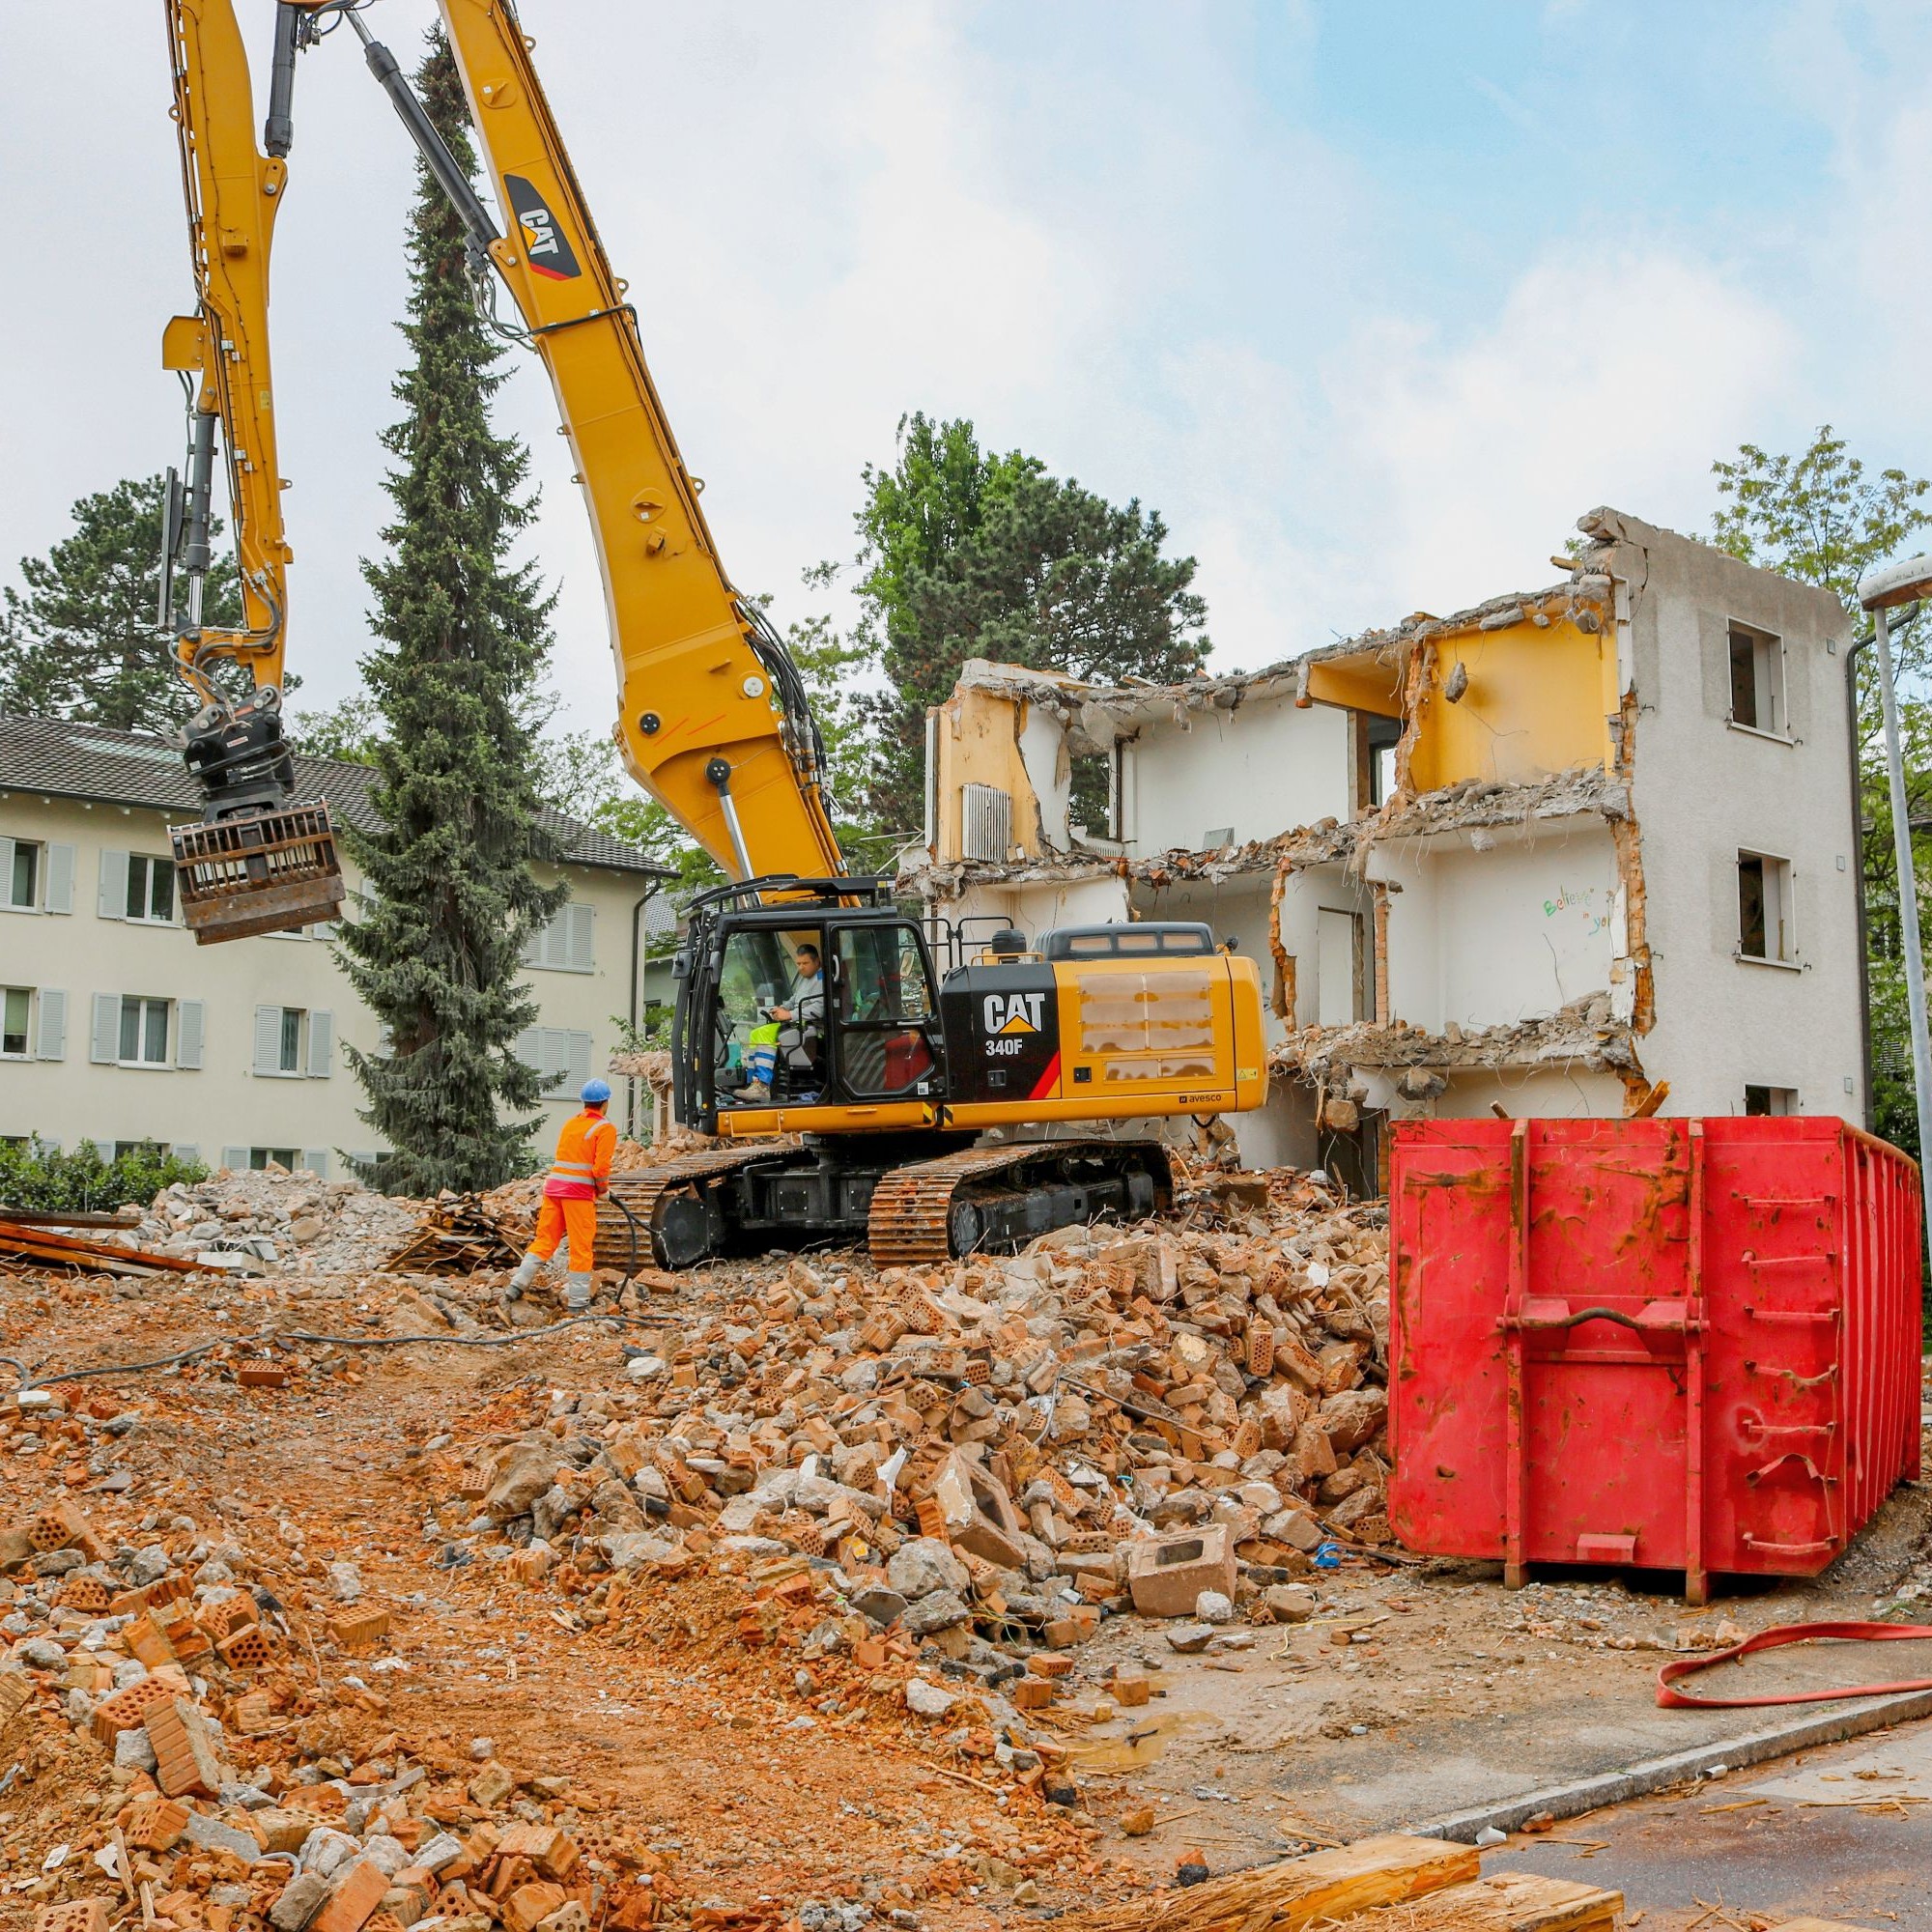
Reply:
x=1539, y=702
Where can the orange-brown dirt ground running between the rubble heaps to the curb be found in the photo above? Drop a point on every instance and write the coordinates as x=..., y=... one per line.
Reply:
x=747, y=1778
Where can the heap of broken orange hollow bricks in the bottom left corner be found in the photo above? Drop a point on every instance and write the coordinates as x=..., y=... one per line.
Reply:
x=208, y=1724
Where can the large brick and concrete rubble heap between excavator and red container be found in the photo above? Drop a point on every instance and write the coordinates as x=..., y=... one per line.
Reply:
x=980, y=1463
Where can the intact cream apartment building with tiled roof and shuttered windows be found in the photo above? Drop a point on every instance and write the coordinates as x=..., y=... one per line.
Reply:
x=115, y=1027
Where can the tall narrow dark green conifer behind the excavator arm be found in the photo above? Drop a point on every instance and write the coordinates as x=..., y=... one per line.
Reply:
x=463, y=633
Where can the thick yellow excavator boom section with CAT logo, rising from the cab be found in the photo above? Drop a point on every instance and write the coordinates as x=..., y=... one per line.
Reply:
x=714, y=718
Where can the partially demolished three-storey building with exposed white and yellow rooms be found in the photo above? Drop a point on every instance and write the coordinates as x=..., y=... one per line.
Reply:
x=1587, y=851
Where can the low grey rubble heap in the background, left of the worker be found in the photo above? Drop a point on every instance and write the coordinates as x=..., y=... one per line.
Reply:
x=254, y=1222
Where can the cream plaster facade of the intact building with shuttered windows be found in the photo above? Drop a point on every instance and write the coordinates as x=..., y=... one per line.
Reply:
x=223, y=1102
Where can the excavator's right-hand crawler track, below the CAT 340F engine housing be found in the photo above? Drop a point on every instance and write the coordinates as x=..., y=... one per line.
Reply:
x=917, y=1210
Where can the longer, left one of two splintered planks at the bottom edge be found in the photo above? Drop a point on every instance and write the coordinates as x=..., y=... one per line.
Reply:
x=1297, y=1892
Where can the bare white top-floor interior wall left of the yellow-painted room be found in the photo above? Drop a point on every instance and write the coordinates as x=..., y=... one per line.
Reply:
x=1263, y=768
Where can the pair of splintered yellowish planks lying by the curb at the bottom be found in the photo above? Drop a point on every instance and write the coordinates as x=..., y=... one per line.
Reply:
x=1378, y=1885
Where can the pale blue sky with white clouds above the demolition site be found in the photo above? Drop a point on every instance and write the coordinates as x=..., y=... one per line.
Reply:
x=1369, y=300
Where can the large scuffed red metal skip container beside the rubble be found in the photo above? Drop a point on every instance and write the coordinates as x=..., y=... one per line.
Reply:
x=1657, y=1344
